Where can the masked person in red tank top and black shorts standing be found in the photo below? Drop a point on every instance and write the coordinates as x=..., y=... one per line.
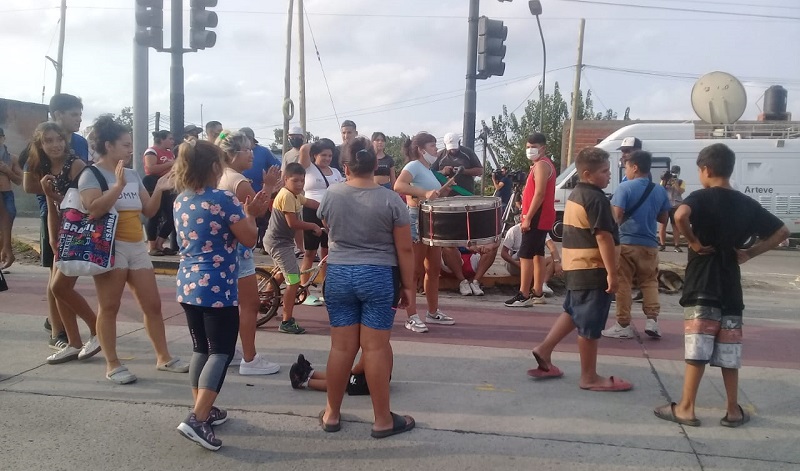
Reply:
x=538, y=216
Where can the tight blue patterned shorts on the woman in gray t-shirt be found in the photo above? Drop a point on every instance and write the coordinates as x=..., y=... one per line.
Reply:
x=362, y=294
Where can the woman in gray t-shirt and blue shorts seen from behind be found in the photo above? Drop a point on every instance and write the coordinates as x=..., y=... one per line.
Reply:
x=370, y=272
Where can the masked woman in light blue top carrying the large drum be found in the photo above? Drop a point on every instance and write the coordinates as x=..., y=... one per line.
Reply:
x=418, y=183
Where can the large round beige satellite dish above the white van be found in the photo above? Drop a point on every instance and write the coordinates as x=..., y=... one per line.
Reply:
x=719, y=98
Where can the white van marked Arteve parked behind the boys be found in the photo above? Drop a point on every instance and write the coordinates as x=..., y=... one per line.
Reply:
x=767, y=162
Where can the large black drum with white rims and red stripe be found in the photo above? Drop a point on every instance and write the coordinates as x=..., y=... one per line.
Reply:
x=461, y=221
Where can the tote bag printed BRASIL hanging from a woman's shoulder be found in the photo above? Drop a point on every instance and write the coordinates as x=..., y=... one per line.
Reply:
x=85, y=244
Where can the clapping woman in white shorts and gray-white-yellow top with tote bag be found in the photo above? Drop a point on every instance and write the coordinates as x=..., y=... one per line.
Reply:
x=132, y=266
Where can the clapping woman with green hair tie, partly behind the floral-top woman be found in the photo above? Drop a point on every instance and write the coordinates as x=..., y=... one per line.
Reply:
x=238, y=152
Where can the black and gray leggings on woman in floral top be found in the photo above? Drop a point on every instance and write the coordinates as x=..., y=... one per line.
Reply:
x=214, y=331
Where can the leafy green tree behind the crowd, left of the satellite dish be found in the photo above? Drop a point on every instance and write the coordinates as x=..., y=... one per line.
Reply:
x=508, y=134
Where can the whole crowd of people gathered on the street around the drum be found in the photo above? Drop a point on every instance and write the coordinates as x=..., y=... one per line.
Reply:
x=215, y=201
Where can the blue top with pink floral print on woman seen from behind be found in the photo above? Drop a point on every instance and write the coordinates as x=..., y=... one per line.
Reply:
x=207, y=275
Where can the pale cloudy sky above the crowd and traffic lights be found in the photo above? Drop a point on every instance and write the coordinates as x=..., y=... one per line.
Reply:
x=399, y=66
